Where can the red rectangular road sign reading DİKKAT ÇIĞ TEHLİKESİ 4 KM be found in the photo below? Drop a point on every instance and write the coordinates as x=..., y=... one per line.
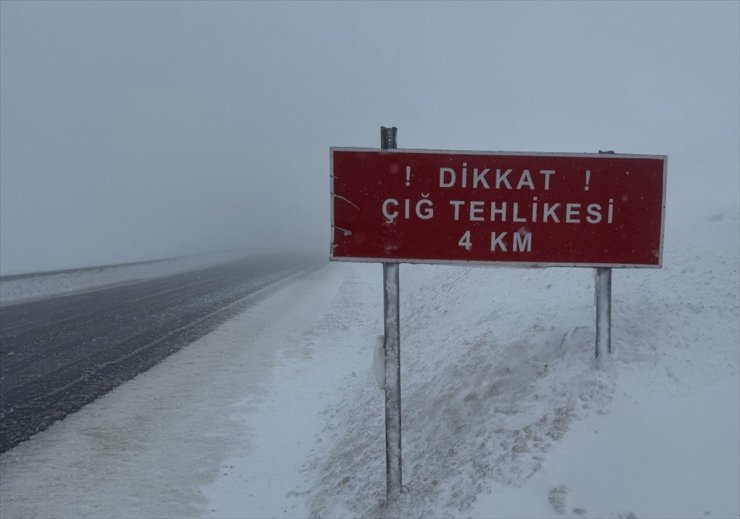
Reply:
x=424, y=206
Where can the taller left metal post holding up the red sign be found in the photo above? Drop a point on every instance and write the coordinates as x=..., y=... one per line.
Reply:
x=392, y=353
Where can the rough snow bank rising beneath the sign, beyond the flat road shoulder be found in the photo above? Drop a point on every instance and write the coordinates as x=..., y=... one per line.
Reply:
x=506, y=414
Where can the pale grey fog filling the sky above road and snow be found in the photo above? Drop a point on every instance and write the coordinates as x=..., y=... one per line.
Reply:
x=142, y=130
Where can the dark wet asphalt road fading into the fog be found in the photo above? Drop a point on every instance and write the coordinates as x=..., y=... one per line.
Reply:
x=58, y=354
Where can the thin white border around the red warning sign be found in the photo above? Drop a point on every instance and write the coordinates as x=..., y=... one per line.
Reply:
x=520, y=264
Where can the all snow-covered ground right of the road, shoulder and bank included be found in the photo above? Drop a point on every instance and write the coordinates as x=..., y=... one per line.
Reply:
x=505, y=413
